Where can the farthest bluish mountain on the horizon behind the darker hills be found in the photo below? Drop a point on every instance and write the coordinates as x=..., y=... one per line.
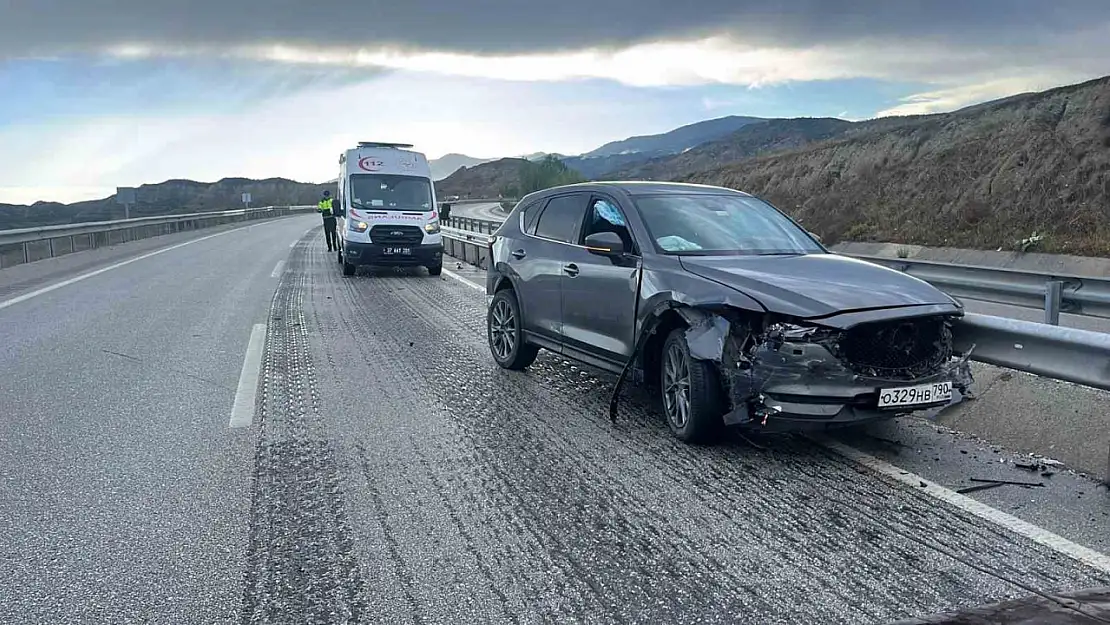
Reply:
x=627, y=153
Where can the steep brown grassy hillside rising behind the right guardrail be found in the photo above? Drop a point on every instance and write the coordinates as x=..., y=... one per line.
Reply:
x=983, y=177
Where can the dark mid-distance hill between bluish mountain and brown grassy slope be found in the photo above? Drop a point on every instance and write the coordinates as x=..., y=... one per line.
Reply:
x=750, y=142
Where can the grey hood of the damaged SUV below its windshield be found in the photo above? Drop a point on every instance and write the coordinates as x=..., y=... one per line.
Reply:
x=816, y=286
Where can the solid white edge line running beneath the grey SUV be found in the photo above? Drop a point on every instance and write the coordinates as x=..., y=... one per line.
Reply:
x=1037, y=535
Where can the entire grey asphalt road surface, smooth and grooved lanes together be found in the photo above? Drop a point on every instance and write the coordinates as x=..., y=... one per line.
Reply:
x=393, y=475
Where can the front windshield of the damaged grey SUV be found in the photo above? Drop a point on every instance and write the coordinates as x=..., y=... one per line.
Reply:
x=701, y=225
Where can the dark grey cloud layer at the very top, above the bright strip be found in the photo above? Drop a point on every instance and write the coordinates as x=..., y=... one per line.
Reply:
x=516, y=27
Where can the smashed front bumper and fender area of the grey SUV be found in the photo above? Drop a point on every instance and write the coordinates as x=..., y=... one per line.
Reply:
x=780, y=376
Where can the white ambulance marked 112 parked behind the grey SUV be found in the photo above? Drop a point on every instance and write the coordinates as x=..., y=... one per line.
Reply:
x=387, y=209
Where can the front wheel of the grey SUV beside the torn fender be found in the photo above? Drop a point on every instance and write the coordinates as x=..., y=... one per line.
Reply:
x=704, y=398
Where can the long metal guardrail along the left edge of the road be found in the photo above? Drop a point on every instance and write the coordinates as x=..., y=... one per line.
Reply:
x=31, y=245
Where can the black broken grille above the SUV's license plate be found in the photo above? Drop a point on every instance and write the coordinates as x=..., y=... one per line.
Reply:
x=903, y=349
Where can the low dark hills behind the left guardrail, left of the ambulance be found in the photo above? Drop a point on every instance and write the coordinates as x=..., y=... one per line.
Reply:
x=174, y=197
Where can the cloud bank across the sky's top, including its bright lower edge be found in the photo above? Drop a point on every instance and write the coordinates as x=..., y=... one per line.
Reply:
x=632, y=42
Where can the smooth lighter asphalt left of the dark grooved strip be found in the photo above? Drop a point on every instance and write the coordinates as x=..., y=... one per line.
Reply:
x=125, y=498
